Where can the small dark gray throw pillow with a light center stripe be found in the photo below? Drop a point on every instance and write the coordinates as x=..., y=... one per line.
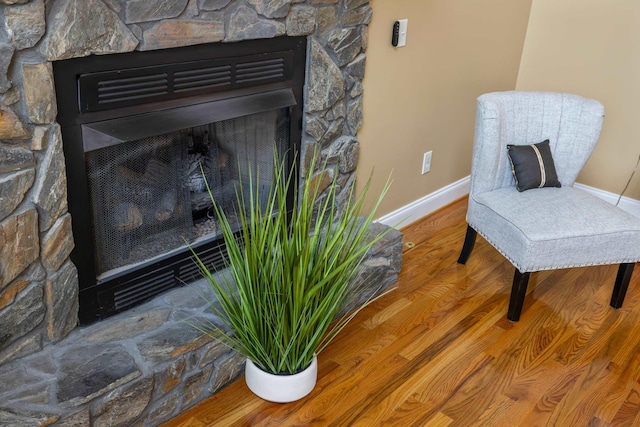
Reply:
x=532, y=166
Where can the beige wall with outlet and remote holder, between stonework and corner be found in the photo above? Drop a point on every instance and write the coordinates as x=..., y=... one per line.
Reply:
x=422, y=97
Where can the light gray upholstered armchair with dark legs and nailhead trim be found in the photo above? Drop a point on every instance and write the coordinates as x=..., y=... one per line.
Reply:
x=544, y=228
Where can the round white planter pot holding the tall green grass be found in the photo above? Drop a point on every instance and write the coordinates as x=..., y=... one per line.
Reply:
x=281, y=388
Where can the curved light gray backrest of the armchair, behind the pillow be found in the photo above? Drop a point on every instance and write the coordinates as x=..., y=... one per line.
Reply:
x=571, y=123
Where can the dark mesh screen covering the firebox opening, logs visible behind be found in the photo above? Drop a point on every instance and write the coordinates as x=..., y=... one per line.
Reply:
x=148, y=197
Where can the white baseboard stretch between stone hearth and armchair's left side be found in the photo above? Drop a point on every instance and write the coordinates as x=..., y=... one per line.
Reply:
x=427, y=204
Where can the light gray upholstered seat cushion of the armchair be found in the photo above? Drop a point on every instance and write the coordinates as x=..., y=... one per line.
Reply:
x=551, y=228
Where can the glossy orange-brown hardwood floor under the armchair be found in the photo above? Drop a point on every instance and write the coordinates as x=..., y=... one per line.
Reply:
x=439, y=351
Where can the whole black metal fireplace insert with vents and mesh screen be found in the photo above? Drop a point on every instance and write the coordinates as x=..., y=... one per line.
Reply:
x=143, y=135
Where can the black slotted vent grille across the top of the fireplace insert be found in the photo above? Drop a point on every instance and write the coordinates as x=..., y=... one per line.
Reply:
x=107, y=90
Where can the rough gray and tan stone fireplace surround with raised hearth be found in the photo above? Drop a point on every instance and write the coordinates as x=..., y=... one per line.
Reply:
x=143, y=366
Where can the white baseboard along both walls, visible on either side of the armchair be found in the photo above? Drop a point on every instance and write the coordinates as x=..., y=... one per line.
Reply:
x=452, y=192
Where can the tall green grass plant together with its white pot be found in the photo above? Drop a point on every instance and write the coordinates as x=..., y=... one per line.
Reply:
x=291, y=270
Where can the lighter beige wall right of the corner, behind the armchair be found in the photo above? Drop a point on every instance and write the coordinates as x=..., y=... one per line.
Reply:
x=592, y=48
